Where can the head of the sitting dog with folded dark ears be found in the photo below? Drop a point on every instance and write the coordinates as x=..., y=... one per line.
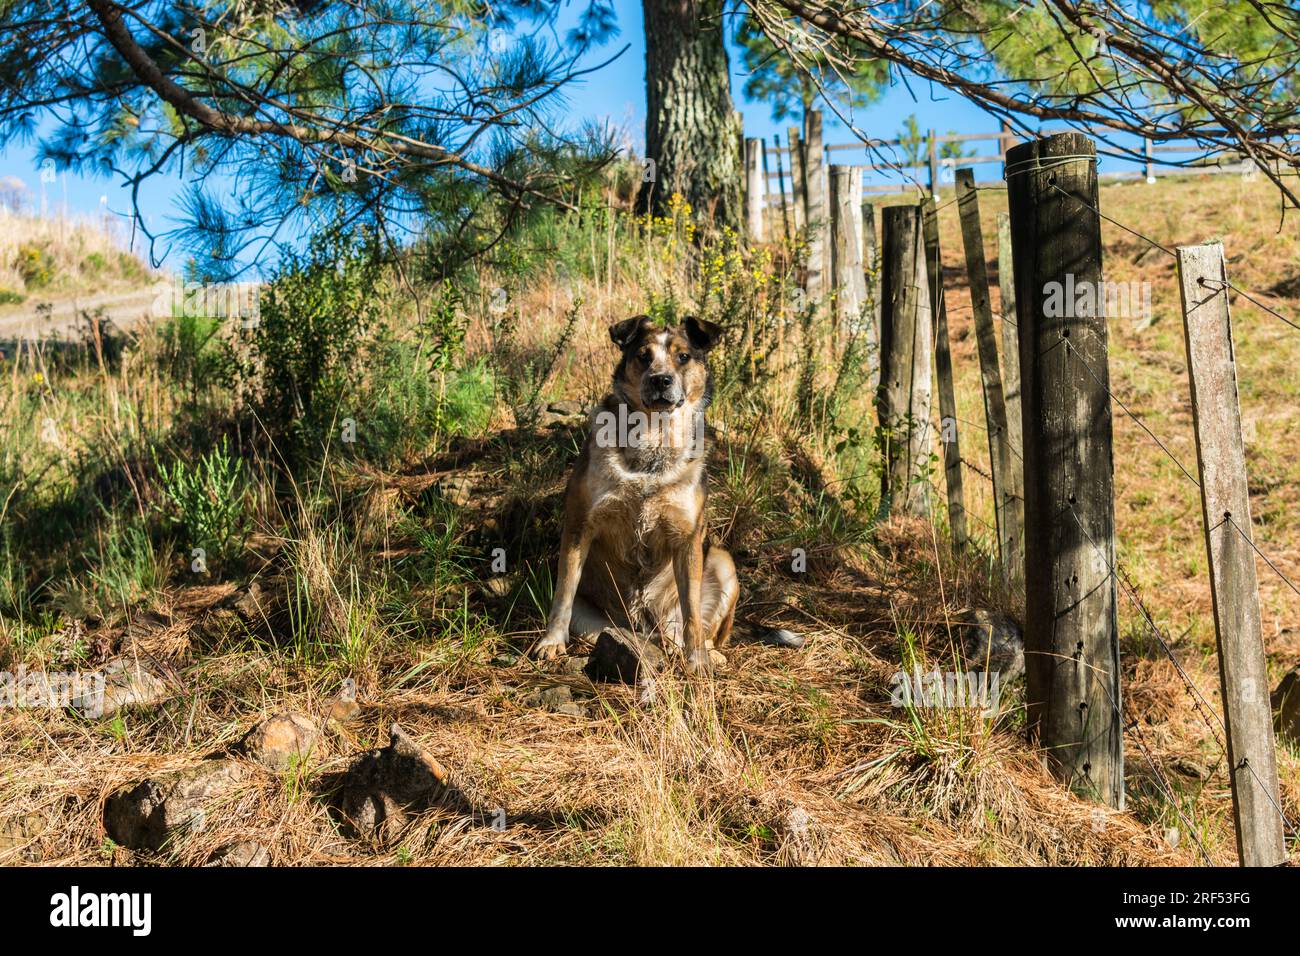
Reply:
x=664, y=369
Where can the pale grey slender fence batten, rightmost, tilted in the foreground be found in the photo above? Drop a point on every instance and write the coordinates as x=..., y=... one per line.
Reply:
x=1227, y=507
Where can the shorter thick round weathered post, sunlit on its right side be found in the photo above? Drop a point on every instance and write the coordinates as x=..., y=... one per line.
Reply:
x=905, y=336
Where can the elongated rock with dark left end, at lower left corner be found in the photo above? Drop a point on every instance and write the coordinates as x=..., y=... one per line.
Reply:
x=153, y=812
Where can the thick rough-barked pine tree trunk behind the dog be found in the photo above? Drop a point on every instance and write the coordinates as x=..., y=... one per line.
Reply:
x=692, y=131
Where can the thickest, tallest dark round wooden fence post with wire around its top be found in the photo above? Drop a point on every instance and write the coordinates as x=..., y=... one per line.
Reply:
x=1072, y=635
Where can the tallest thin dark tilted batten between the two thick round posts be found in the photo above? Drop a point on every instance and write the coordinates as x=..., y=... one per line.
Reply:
x=1009, y=516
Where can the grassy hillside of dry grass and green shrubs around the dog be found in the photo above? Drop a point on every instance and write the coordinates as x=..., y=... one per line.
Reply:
x=332, y=565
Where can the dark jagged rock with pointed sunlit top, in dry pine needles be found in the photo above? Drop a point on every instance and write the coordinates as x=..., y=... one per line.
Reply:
x=384, y=788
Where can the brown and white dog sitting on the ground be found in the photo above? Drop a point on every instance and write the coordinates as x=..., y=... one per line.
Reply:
x=634, y=551
